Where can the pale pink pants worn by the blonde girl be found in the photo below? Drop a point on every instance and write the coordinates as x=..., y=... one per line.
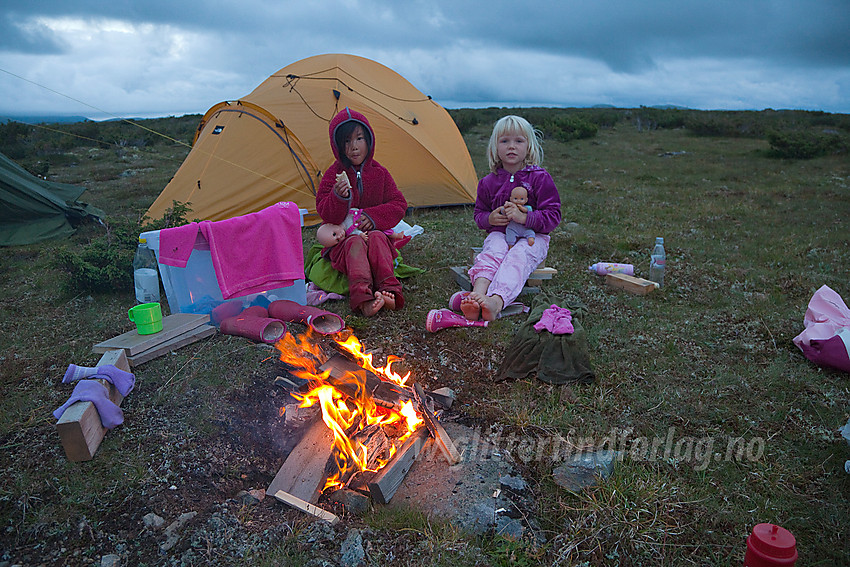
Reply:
x=508, y=268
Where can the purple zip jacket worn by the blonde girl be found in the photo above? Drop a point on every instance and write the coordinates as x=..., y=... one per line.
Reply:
x=495, y=189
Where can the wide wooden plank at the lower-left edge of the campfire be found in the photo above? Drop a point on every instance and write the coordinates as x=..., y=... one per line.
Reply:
x=303, y=472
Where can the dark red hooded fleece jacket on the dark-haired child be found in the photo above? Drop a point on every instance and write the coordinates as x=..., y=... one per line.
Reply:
x=372, y=187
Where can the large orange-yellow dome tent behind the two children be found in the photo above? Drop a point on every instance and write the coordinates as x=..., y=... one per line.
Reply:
x=272, y=145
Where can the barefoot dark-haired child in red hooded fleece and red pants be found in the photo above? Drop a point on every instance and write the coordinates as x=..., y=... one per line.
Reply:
x=357, y=181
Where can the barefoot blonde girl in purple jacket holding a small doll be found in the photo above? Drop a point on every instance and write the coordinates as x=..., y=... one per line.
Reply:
x=500, y=271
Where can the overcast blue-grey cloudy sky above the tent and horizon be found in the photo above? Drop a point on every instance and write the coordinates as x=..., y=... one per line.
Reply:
x=126, y=58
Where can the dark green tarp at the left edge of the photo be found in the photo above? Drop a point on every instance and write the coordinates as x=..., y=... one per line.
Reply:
x=33, y=209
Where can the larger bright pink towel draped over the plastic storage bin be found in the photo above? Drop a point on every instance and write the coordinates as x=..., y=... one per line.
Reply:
x=257, y=252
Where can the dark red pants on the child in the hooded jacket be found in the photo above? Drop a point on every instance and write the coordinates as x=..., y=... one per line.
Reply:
x=369, y=267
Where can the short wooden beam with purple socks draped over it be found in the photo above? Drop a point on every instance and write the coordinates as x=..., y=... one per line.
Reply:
x=80, y=428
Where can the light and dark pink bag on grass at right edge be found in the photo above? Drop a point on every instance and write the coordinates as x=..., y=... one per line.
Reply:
x=826, y=339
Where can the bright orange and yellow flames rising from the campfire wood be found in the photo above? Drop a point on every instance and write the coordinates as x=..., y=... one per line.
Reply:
x=345, y=415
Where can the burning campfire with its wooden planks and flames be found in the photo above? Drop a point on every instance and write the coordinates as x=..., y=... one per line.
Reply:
x=373, y=423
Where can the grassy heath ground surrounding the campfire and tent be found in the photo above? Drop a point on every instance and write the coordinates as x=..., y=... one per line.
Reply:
x=722, y=422
